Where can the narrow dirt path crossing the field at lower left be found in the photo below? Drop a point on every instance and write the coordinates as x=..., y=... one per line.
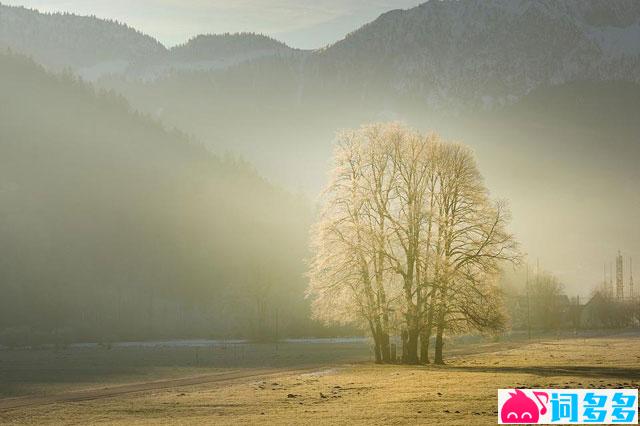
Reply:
x=108, y=392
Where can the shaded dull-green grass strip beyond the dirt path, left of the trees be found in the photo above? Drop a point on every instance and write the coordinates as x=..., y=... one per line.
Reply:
x=46, y=372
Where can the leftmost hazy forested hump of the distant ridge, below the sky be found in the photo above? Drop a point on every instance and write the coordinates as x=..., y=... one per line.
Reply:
x=88, y=45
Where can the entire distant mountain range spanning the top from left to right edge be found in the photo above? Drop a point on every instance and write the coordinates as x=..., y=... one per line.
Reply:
x=444, y=54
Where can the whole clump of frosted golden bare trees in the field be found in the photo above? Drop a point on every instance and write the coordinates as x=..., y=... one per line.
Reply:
x=408, y=242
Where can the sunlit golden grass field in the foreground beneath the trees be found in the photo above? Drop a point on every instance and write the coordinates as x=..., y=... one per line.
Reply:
x=343, y=392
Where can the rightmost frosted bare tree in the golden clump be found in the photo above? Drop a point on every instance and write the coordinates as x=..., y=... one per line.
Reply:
x=473, y=233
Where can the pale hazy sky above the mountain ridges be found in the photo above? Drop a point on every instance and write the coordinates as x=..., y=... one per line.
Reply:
x=300, y=23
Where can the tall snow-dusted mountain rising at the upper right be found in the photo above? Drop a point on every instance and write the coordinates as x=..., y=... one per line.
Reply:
x=486, y=52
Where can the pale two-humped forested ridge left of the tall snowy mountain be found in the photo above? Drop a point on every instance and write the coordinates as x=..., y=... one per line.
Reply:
x=93, y=47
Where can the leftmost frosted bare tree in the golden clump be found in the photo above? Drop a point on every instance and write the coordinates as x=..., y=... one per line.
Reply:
x=347, y=276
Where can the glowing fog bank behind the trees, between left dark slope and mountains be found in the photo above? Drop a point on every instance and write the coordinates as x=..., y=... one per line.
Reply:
x=564, y=158
